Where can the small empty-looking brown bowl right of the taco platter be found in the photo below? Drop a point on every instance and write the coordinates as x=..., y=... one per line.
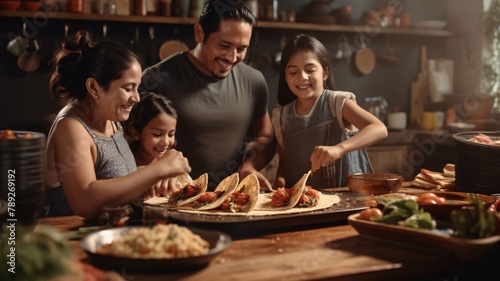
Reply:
x=374, y=183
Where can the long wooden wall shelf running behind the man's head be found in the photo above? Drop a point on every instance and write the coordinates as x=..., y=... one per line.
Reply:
x=260, y=24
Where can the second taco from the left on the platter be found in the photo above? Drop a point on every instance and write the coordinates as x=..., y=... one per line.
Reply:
x=212, y=199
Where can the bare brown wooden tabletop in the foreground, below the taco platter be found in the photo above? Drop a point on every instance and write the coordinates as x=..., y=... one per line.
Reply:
x=329, y=252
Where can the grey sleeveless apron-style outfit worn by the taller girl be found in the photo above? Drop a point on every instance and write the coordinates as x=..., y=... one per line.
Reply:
x=321, y=126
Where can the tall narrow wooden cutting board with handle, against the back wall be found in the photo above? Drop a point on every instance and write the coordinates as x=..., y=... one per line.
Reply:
x=419, y=90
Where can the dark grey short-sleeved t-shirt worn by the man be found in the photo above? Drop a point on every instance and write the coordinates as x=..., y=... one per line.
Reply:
x=214, y=115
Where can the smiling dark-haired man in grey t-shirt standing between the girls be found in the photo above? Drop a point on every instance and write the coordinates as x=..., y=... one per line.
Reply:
x=221, y=103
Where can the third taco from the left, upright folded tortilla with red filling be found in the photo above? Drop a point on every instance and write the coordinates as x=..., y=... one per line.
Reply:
x=244, y=197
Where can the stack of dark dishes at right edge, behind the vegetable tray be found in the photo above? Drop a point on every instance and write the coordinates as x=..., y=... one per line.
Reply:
x=477, y=167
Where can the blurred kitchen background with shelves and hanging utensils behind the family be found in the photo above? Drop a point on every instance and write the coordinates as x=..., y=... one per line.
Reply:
x=426, y=68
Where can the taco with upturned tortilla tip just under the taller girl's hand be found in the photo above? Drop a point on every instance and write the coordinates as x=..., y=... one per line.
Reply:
x=285, y=198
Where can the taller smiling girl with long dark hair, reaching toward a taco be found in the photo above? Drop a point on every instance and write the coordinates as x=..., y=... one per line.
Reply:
x=316, y=127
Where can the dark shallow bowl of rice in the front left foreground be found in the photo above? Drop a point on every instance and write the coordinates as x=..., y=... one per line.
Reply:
x=161, y=247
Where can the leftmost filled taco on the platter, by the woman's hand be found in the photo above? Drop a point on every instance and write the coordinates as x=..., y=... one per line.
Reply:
x=187, y=191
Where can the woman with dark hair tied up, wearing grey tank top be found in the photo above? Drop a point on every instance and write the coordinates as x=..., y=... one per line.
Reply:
x=90, y=165
